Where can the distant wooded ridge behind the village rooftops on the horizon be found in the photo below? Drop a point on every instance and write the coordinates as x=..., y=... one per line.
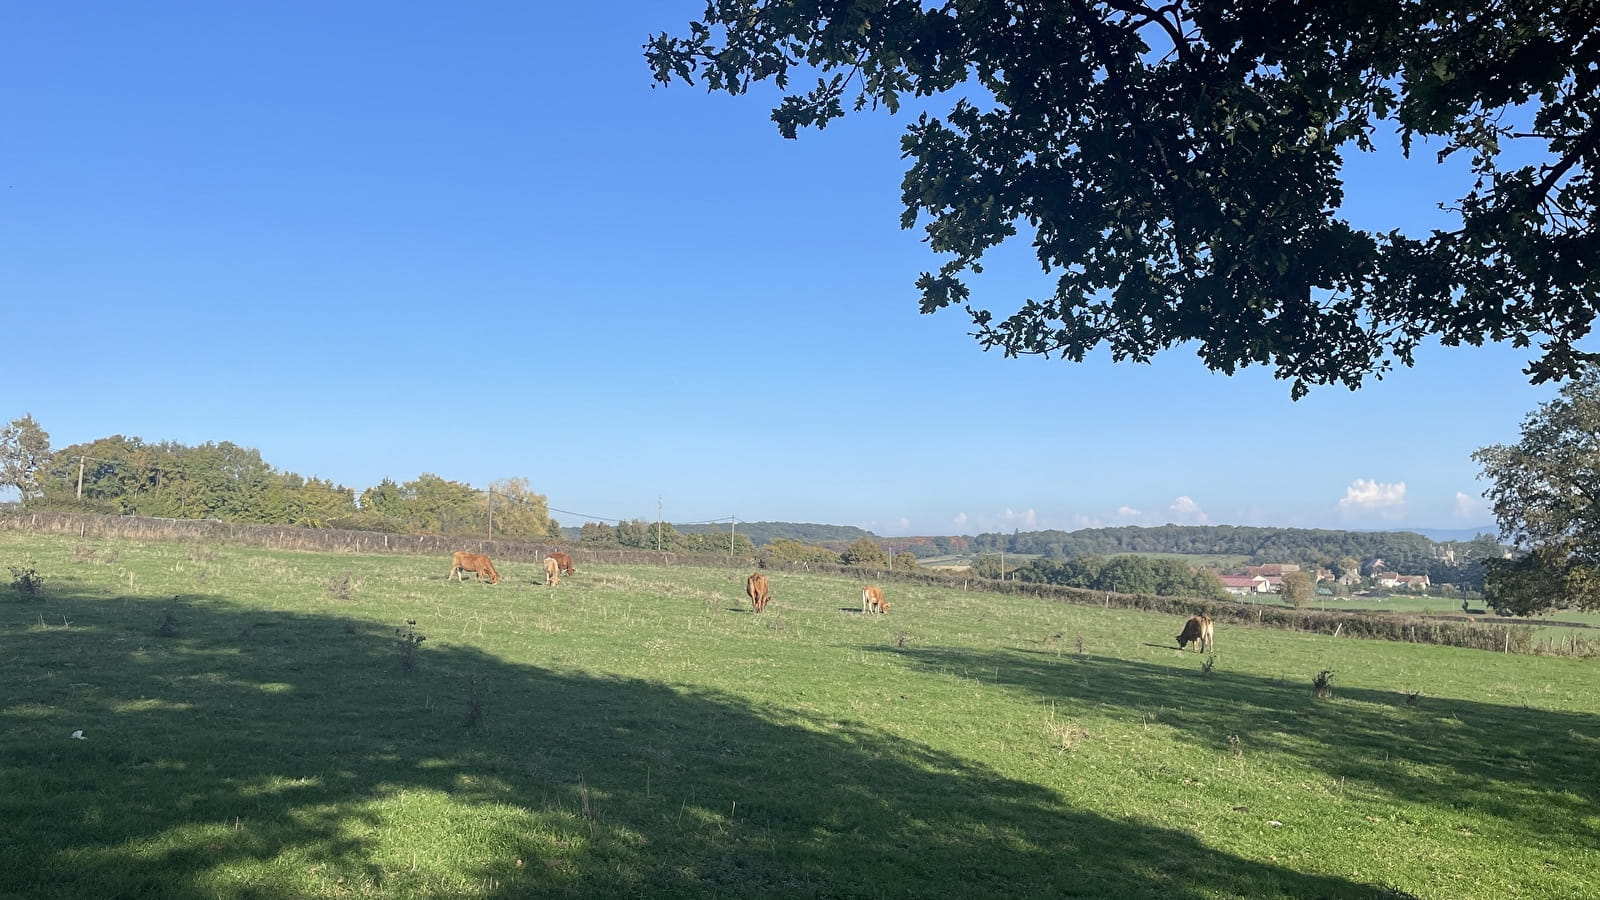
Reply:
x=1455, y=563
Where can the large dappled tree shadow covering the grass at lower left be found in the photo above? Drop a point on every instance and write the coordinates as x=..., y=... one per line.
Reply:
x=266, y=755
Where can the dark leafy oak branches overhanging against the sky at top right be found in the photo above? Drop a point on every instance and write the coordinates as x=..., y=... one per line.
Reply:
x=1180, y=169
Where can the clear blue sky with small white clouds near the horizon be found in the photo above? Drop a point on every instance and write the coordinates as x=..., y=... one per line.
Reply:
x=377, y=241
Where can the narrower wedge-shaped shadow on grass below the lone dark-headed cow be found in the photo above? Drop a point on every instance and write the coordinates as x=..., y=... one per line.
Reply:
x=1510, y=761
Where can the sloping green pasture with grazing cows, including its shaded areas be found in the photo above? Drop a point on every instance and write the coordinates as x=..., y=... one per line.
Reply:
x=257, y=725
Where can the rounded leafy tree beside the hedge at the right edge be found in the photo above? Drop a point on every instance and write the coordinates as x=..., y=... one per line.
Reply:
x=1546, y=497
